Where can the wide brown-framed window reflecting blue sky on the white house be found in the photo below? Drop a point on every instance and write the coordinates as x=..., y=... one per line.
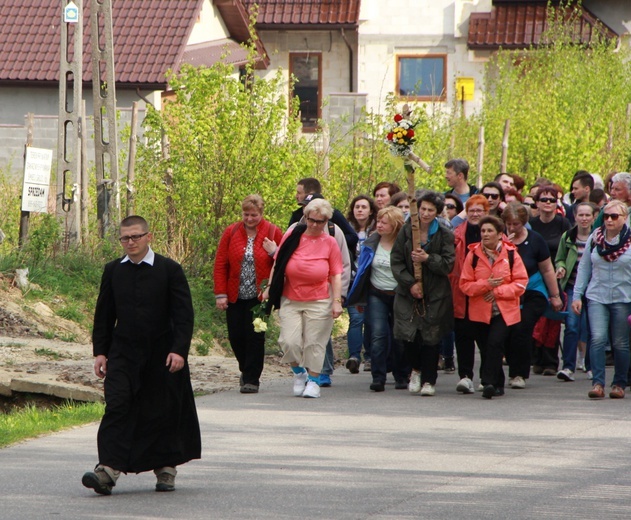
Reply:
x=422, y=77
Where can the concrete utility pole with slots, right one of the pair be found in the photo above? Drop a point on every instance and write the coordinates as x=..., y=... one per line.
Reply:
x=104, y=101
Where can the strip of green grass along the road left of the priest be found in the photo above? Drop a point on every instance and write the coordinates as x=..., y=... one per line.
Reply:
x=31, y=421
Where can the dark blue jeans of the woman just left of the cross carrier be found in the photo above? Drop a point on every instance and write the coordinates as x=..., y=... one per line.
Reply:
x=380, y=315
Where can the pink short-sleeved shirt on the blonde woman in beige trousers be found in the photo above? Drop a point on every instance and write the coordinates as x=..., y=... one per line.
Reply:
x=314, y=261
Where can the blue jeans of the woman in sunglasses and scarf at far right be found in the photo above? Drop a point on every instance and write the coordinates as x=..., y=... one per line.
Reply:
x=605, y=320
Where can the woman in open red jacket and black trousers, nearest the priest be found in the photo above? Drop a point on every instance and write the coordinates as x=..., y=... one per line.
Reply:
x=244, y=258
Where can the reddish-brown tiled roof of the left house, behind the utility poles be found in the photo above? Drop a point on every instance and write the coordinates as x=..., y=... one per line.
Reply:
x=149, y=37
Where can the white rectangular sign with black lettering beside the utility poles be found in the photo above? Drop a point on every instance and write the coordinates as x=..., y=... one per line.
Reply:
x=36, y=179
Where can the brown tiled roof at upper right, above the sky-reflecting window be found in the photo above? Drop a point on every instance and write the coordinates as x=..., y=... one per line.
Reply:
x=519, y=24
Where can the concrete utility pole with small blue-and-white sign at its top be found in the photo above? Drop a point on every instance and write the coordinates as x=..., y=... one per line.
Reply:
x=68, y=139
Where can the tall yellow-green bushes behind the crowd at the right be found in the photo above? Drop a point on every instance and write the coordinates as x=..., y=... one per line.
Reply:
x=567, y=106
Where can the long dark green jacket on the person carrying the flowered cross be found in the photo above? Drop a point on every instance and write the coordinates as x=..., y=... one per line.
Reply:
x=433, y=316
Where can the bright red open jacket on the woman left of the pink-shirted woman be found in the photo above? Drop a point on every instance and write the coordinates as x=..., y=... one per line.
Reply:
x=230, y=253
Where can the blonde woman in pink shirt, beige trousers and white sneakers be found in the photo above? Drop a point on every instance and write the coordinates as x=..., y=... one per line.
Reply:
x=308, y=276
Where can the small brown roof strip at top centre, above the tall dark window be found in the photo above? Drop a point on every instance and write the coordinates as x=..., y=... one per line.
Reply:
x=310, y=13
